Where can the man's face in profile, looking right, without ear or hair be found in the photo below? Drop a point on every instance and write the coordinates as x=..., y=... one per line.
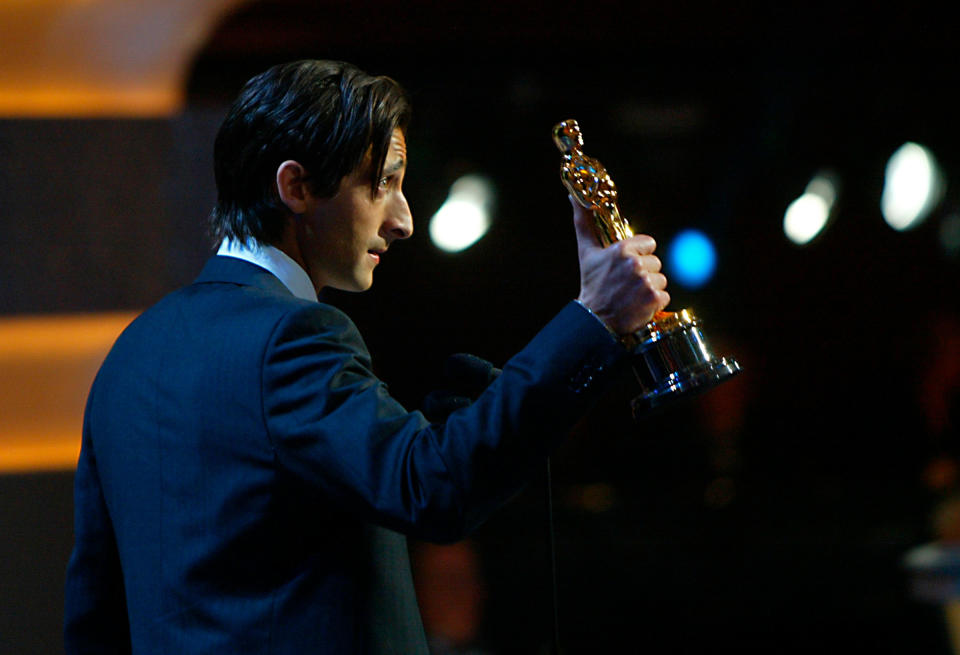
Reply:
x=342, y=238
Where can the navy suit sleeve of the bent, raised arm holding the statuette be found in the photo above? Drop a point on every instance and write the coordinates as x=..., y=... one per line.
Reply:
x=337, y=431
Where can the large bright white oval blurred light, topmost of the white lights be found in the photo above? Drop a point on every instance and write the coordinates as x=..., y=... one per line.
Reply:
x=912, y=187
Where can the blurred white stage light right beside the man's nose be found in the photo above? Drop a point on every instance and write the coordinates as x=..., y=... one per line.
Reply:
x=464, y=217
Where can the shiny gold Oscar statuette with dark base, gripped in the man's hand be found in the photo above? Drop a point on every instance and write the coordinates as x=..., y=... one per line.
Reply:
x=672, y=356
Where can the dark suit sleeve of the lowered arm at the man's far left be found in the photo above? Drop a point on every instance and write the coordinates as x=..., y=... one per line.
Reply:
x=95, y=609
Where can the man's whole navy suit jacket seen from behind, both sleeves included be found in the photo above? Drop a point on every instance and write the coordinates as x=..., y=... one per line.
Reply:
x=245, y=481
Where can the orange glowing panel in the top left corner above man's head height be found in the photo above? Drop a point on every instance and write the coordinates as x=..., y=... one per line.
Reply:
x=100, y=58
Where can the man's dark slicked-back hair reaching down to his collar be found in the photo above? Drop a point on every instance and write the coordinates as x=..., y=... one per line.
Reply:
x=323, y=114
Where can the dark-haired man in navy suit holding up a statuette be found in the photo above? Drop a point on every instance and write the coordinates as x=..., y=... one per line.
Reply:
x=246, y=483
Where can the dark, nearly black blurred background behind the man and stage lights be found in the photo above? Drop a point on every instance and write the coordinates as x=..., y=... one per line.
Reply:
x=771, y=515
